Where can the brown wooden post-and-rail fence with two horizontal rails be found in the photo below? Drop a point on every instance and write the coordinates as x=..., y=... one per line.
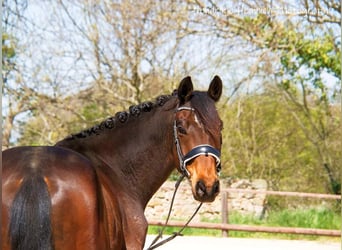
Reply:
x=225, y=226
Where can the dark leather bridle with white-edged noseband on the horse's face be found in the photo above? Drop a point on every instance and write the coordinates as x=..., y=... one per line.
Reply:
x=202, y=149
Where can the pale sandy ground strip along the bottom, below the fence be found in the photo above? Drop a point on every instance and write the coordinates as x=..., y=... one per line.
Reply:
x=215, y=243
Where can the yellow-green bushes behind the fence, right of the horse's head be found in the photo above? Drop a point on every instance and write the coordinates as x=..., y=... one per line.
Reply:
x=262, y=139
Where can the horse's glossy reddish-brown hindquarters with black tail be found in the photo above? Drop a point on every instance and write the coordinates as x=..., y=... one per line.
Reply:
x=72, y=200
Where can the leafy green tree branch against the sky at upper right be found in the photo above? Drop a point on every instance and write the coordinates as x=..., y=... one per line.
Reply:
x=316, y=52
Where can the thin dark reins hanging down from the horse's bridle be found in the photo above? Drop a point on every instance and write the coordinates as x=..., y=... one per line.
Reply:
x=155, y=242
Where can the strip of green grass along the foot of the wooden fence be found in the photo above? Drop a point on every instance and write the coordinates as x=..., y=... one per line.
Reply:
x=321, y=218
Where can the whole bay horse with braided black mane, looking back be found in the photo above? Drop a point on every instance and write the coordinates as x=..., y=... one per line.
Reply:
x=89, y=191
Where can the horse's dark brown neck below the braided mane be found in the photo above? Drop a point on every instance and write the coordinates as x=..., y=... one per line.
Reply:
x=140, y=153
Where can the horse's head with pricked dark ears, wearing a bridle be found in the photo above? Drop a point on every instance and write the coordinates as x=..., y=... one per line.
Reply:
x=197, y=132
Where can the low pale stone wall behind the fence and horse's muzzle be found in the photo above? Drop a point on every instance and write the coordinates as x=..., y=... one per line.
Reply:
x=185, y=205
